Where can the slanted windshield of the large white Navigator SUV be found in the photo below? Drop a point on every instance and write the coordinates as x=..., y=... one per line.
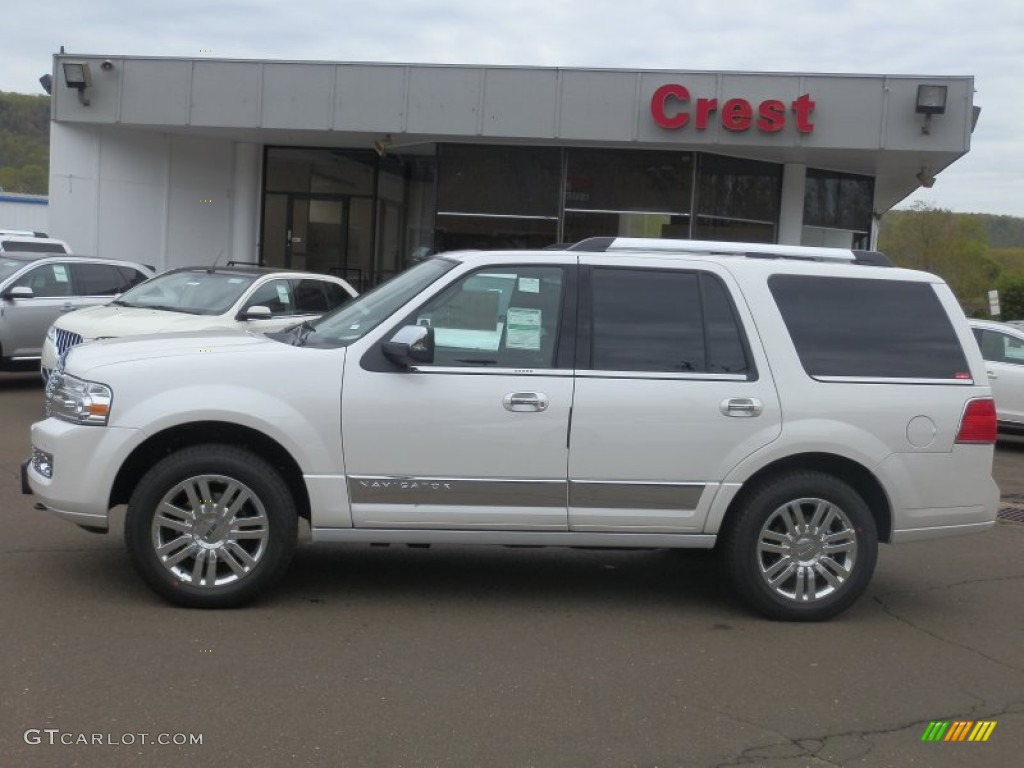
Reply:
x=355, y=321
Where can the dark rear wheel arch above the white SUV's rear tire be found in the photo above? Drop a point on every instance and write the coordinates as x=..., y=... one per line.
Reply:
x=854, y=474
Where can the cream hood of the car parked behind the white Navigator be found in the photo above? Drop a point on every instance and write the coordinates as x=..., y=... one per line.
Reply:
x=115, y=322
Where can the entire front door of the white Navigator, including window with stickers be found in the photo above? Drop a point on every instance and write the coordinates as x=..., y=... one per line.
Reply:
x=479, y=440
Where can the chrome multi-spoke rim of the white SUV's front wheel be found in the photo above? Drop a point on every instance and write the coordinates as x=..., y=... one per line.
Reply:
x=210, y=531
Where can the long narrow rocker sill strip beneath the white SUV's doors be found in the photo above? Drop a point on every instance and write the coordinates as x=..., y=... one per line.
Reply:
x=514, y=538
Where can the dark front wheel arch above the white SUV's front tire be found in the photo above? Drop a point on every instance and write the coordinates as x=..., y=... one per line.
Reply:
x=196, y=434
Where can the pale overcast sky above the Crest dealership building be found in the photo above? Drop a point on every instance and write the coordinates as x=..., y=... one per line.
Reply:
x=985, y=38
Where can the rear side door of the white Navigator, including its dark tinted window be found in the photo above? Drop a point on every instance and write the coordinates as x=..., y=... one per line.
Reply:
x=672, y=395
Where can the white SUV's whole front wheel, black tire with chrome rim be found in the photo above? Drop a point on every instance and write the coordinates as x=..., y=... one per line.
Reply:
x=211, y=527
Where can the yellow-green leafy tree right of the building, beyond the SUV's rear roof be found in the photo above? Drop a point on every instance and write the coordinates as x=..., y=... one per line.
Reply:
x=951, y=245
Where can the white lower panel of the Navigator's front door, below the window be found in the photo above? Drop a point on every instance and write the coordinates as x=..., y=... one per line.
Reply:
x=441, y=450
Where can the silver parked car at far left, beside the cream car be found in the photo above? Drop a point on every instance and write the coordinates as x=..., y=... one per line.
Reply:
x=38, y=288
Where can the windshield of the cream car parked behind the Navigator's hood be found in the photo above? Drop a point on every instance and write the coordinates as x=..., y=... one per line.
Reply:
x=191, y=292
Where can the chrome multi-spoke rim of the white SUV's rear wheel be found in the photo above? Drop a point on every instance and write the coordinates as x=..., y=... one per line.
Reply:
x=807, y=550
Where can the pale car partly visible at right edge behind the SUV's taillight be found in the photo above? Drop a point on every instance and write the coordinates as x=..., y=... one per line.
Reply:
x=1003, y=348
